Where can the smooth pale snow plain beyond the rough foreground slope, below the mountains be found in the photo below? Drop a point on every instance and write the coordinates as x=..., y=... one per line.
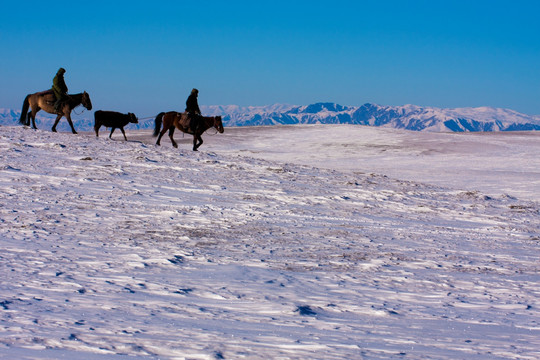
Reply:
x=490, y=162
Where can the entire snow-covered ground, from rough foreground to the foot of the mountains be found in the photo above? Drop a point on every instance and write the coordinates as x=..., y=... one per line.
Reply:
x=307, y=242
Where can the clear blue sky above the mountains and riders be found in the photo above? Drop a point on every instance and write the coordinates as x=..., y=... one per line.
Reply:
x=145, y=57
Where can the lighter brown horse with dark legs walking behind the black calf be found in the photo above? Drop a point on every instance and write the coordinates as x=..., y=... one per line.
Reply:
x=44, y=100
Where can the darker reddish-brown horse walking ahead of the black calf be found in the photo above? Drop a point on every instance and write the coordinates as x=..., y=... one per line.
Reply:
x=181, y=121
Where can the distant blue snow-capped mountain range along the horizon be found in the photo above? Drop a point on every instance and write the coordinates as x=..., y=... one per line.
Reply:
x=409, y=117
